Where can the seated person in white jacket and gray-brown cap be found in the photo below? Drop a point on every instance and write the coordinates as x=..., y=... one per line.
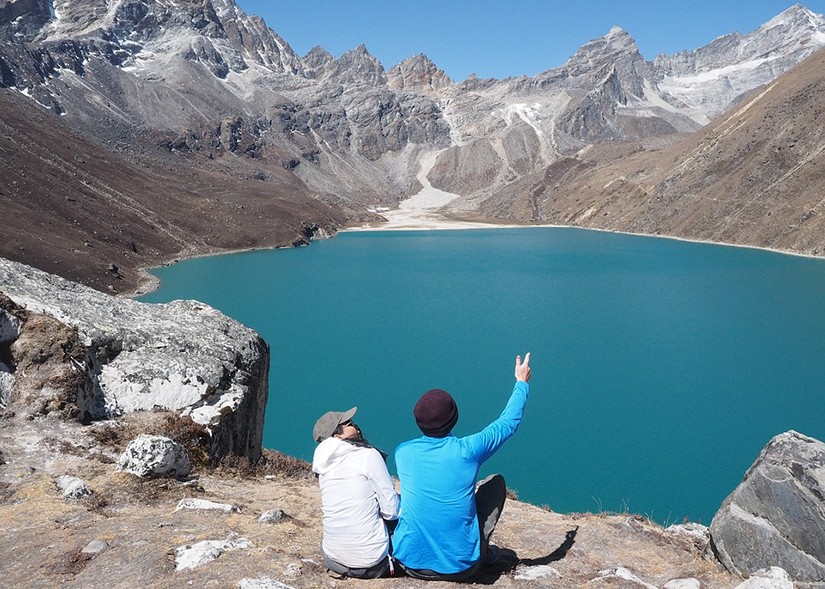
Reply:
x=357, y=496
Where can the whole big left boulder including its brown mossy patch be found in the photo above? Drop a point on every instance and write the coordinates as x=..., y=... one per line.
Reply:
x=119, y=356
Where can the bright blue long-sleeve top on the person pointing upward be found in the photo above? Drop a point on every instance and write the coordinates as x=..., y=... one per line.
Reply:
x=437, y=527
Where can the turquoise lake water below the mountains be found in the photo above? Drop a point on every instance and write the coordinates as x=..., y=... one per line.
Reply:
x=660, y=367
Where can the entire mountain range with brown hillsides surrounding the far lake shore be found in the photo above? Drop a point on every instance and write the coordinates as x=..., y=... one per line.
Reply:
x=142, y=130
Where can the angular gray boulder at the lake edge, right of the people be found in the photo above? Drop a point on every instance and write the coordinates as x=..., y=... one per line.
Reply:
x=776, y=516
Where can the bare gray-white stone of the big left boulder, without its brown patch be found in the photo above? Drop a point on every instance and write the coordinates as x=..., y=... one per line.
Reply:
x=183, y=356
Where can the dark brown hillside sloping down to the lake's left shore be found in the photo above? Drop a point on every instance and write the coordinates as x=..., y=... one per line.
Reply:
x=74, y=208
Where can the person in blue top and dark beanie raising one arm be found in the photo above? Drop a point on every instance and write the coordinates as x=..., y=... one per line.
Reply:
x=445, y=523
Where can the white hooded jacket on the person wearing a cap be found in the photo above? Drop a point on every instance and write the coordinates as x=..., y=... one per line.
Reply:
x=357, y=493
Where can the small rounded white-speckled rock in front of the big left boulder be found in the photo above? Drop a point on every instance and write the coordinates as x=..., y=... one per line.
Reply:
x=154, y=456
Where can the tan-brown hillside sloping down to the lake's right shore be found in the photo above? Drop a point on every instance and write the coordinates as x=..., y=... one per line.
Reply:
x=754, y=176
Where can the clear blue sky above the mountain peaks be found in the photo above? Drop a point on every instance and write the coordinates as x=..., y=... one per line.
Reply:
x=500, y=38
